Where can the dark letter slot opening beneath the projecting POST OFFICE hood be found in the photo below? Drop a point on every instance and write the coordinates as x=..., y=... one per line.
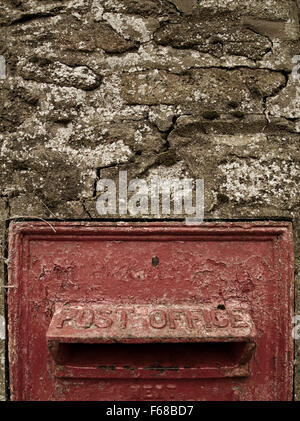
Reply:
x=146, y=360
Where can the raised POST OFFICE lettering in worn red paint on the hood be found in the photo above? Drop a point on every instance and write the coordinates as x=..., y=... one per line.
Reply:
x=150, y=318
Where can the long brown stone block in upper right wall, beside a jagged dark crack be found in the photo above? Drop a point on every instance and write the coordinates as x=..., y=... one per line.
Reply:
x=207, y=88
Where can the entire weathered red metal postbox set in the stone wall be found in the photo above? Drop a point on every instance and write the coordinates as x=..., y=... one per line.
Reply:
x=150, y=311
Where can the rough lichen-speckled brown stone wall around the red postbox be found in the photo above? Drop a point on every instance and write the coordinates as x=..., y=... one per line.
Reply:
x=173, y=88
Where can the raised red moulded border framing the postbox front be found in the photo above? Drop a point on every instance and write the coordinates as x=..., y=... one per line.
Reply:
x=22, y=233
